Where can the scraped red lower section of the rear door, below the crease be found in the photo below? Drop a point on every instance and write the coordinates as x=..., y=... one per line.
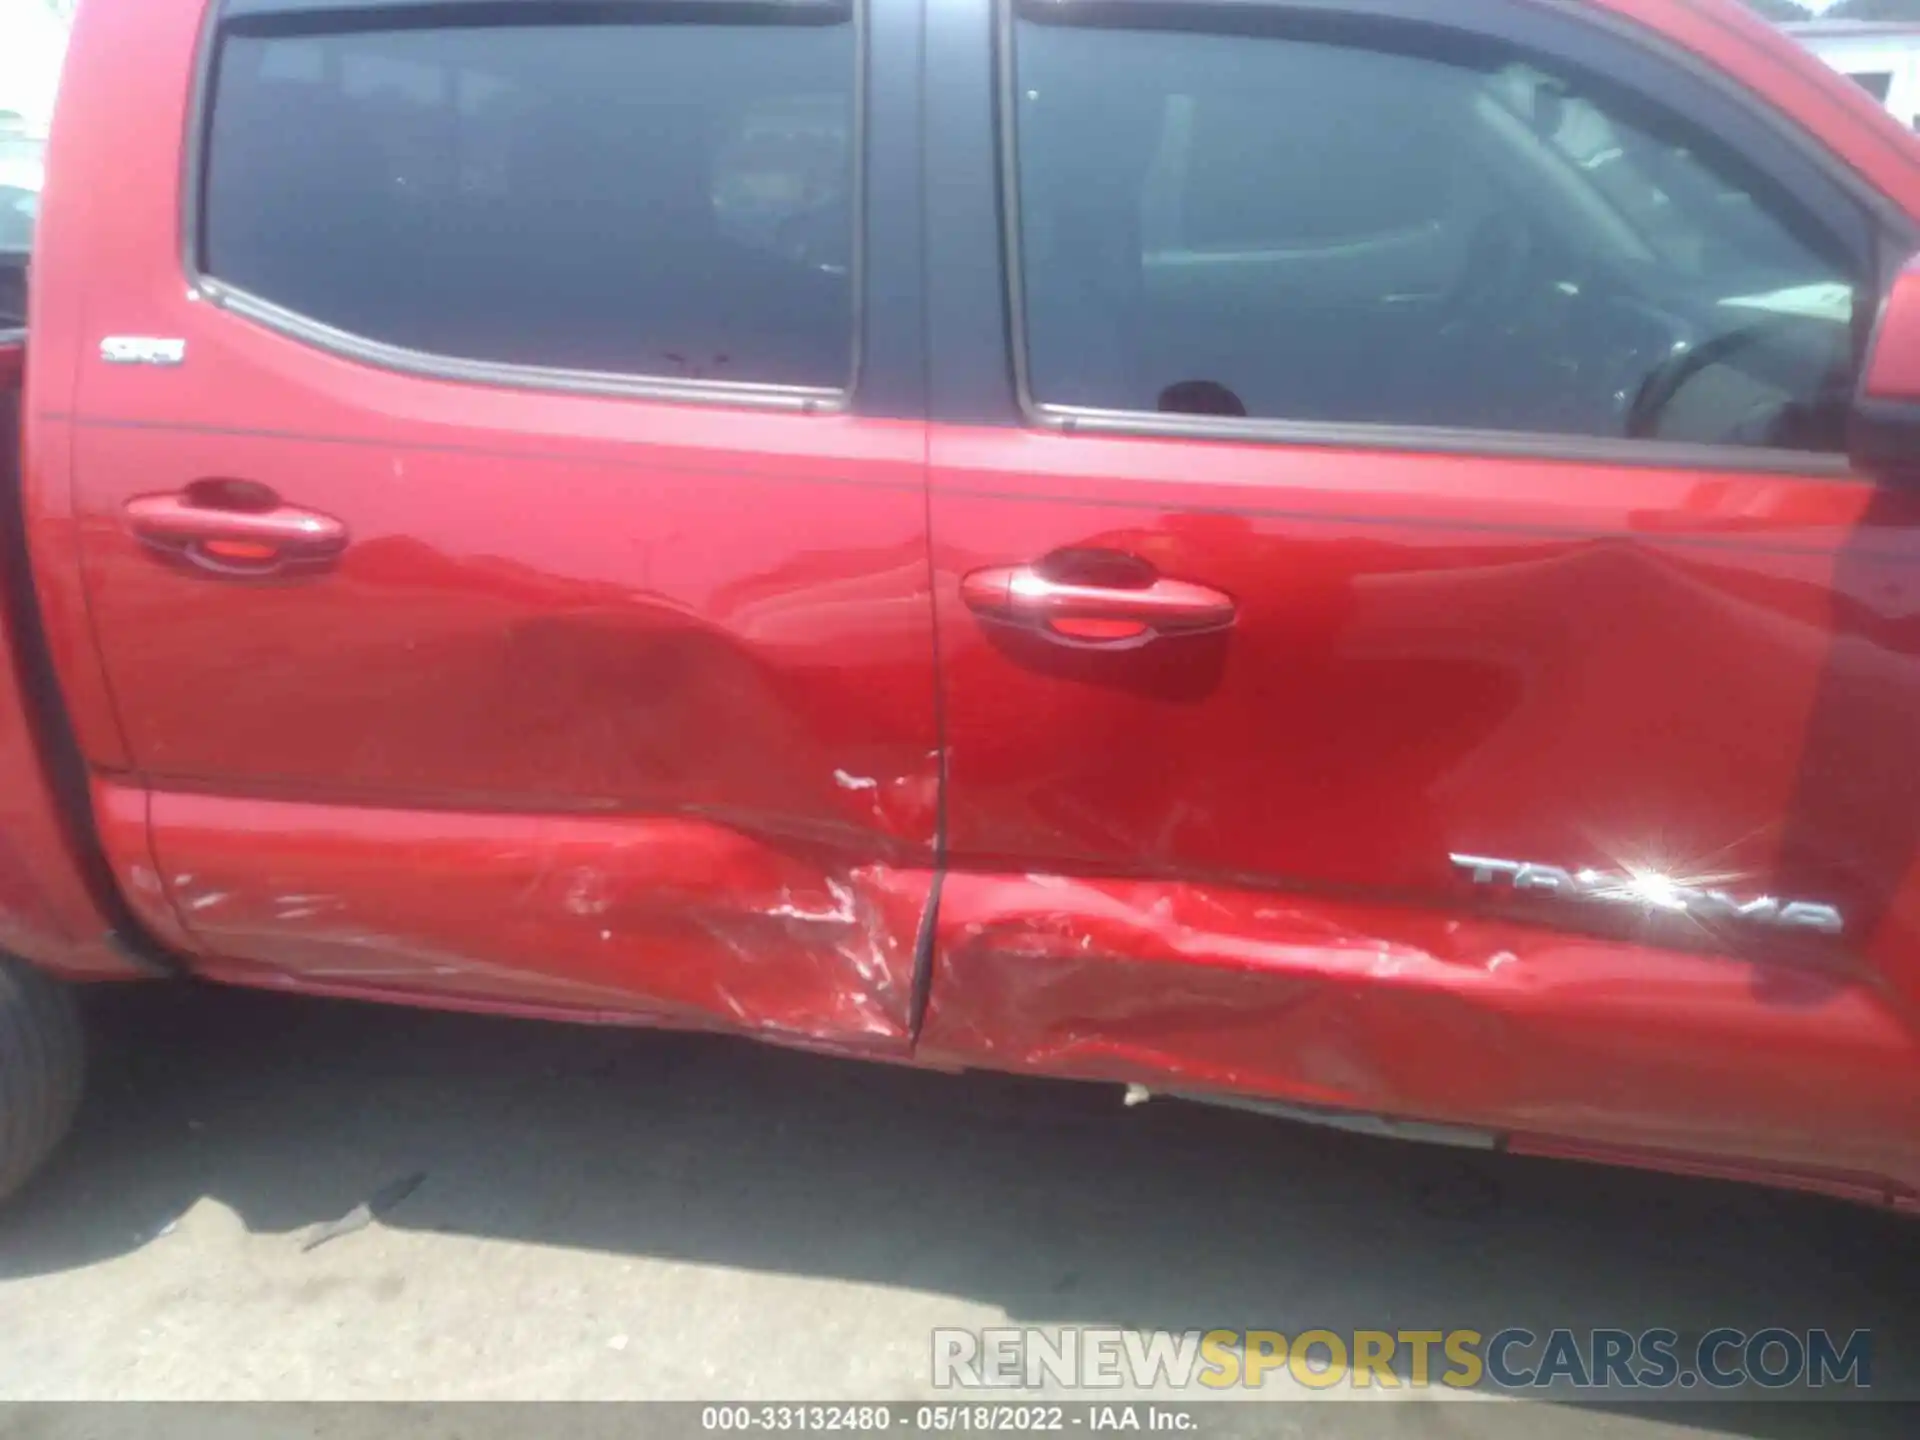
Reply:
x=683, y=921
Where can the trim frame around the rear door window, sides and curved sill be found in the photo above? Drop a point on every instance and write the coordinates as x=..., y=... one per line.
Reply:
x=433, y=366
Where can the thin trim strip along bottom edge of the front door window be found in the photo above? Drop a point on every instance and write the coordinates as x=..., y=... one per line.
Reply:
x=1443, y=441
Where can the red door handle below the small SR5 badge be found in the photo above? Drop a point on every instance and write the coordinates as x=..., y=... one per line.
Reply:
x=235, y=529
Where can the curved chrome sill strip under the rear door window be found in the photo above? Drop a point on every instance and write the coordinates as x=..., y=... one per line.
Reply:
x=807, y=400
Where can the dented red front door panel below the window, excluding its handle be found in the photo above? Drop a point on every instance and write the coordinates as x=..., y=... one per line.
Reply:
x=1234, y=863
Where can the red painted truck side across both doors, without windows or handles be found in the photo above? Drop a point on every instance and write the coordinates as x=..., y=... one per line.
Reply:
x=627, y=711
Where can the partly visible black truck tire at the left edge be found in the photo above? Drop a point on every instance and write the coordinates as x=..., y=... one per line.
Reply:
x=43, y=1067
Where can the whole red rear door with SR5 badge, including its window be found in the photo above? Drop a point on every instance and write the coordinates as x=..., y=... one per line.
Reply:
x=502, y=585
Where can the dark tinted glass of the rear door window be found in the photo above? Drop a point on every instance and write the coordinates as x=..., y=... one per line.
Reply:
x=667, y=201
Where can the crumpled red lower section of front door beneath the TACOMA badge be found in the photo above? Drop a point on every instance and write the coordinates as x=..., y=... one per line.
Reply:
x=1424, y=1013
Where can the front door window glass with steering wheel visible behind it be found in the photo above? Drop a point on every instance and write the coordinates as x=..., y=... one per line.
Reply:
x=1335, y=233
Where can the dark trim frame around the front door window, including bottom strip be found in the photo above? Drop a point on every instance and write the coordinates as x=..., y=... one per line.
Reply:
x=1888, y=226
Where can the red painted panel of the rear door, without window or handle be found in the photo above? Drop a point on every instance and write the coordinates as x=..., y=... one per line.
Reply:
x=606, y=702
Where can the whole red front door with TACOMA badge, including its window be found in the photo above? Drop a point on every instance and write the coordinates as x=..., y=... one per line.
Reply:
x=1416, y=646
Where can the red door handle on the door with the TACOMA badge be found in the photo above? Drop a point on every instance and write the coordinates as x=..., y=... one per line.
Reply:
x=1101, y=615
